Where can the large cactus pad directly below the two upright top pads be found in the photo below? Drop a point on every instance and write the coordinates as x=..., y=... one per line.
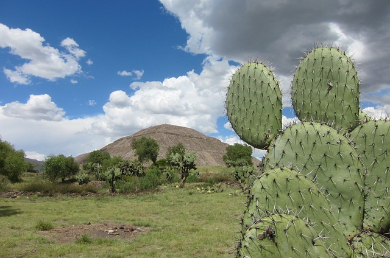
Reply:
x=320, y=153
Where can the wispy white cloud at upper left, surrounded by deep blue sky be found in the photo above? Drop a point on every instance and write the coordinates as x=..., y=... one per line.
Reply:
x=44, y=61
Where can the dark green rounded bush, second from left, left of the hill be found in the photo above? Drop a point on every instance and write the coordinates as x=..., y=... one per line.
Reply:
x=60, y=167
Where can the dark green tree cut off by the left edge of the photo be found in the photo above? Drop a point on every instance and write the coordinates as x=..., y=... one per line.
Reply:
x=12, y=163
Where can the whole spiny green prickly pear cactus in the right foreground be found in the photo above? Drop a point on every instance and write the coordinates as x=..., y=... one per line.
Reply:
x=337, y=202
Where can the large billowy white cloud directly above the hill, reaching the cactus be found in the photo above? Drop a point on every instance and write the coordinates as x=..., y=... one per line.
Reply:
x=193, y=100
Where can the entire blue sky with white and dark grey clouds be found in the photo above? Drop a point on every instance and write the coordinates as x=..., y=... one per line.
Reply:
x=77, y=75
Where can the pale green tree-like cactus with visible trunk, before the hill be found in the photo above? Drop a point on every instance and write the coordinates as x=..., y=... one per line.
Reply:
x=181, y=160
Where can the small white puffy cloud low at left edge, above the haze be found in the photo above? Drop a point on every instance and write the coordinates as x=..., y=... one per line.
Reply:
x=37, y=107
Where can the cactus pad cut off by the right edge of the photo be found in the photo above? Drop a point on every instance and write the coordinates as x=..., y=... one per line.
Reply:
x=373, y=145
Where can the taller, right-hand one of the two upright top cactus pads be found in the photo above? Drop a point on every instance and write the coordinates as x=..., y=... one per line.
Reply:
x=325, y=89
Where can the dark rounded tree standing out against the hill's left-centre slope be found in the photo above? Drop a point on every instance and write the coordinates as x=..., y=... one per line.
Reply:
x=146, y=149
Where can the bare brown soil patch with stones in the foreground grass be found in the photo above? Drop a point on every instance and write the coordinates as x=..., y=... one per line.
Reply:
x=105, y=230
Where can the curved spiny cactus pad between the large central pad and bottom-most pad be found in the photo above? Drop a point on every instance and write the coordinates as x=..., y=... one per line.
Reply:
x=287, y=191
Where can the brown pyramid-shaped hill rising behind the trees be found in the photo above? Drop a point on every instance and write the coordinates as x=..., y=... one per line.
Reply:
x=209, y=151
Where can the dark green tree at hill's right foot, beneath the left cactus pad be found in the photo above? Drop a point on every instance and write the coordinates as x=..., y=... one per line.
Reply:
x=238, y=155
